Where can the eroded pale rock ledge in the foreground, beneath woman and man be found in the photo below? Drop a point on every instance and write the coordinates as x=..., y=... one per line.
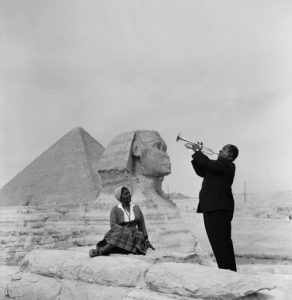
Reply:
x=69, y=274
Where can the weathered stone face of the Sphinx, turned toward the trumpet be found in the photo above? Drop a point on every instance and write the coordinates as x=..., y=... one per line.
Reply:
x=149, y=150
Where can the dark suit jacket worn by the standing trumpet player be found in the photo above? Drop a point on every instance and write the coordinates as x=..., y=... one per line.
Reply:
x=216, y=192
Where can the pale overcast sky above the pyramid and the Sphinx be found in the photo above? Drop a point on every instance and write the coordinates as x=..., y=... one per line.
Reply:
x=217, y=71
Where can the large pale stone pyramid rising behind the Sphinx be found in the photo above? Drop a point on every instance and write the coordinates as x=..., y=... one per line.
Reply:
x=63, y=174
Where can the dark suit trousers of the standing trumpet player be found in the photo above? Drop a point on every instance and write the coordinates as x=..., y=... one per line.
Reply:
x=218, y=228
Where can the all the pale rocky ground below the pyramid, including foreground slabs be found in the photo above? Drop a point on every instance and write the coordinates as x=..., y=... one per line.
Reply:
x=44, y=255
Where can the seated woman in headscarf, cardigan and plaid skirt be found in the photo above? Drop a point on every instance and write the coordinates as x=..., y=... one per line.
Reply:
x=128, y=231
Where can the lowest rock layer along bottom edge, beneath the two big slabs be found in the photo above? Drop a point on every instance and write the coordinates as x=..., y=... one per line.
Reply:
x=32, y=286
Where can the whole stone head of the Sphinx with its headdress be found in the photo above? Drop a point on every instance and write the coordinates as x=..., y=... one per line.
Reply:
x=131, y=155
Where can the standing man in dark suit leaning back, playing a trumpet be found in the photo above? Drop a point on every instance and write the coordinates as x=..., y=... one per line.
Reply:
x=216, y=201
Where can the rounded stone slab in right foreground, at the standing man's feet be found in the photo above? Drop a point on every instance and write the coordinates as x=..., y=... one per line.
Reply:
x=202, y=282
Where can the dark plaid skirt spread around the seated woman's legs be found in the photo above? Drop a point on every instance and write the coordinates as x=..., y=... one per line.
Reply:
x=129, y=239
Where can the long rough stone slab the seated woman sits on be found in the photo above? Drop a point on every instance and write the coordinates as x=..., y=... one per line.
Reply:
x=117, y=271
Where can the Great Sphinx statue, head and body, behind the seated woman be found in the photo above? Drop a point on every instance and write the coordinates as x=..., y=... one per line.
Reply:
x=139, y=161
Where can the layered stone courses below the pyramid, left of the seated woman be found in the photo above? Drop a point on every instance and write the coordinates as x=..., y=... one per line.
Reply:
x=52, y=227
